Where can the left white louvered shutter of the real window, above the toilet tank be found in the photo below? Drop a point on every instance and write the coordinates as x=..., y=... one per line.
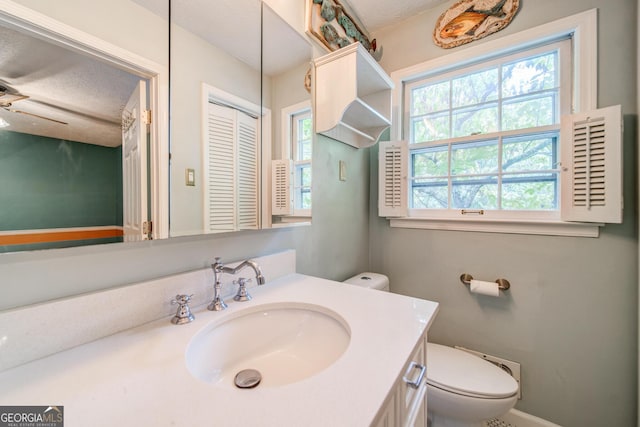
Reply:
x=392, y=179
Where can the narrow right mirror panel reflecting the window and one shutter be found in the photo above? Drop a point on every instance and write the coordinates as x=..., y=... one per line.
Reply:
x=287, y=82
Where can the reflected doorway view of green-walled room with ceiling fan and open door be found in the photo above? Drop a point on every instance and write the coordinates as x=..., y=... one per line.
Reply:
x=67, y=109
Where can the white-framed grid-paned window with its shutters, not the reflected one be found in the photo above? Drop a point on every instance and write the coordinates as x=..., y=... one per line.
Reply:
x=492, y=143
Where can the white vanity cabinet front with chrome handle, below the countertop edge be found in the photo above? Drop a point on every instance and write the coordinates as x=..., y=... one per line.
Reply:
x=406, y=404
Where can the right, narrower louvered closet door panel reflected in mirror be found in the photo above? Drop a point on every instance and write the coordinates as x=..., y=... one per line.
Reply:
x=247, y=188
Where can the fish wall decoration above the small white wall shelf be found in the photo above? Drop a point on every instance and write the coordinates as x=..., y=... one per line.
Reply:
x=333, y=25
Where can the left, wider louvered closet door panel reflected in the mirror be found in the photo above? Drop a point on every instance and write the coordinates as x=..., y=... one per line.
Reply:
x=220, y=210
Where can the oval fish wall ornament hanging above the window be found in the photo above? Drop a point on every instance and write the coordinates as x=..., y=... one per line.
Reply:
x=470, y=20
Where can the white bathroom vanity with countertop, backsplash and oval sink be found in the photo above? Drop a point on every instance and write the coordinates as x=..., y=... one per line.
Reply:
x=133, y=368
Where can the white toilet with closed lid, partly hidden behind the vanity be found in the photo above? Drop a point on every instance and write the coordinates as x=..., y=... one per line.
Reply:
x=463, y=390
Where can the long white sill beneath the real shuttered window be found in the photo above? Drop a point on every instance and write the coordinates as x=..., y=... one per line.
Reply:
x=545, y=228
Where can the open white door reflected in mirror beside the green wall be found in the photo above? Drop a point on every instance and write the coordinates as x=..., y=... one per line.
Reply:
x=134, y=166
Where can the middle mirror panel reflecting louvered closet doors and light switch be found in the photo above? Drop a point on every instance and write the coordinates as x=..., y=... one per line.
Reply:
x=215, y=116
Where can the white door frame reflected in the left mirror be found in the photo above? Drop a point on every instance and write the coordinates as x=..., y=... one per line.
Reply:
x=156, y=74
